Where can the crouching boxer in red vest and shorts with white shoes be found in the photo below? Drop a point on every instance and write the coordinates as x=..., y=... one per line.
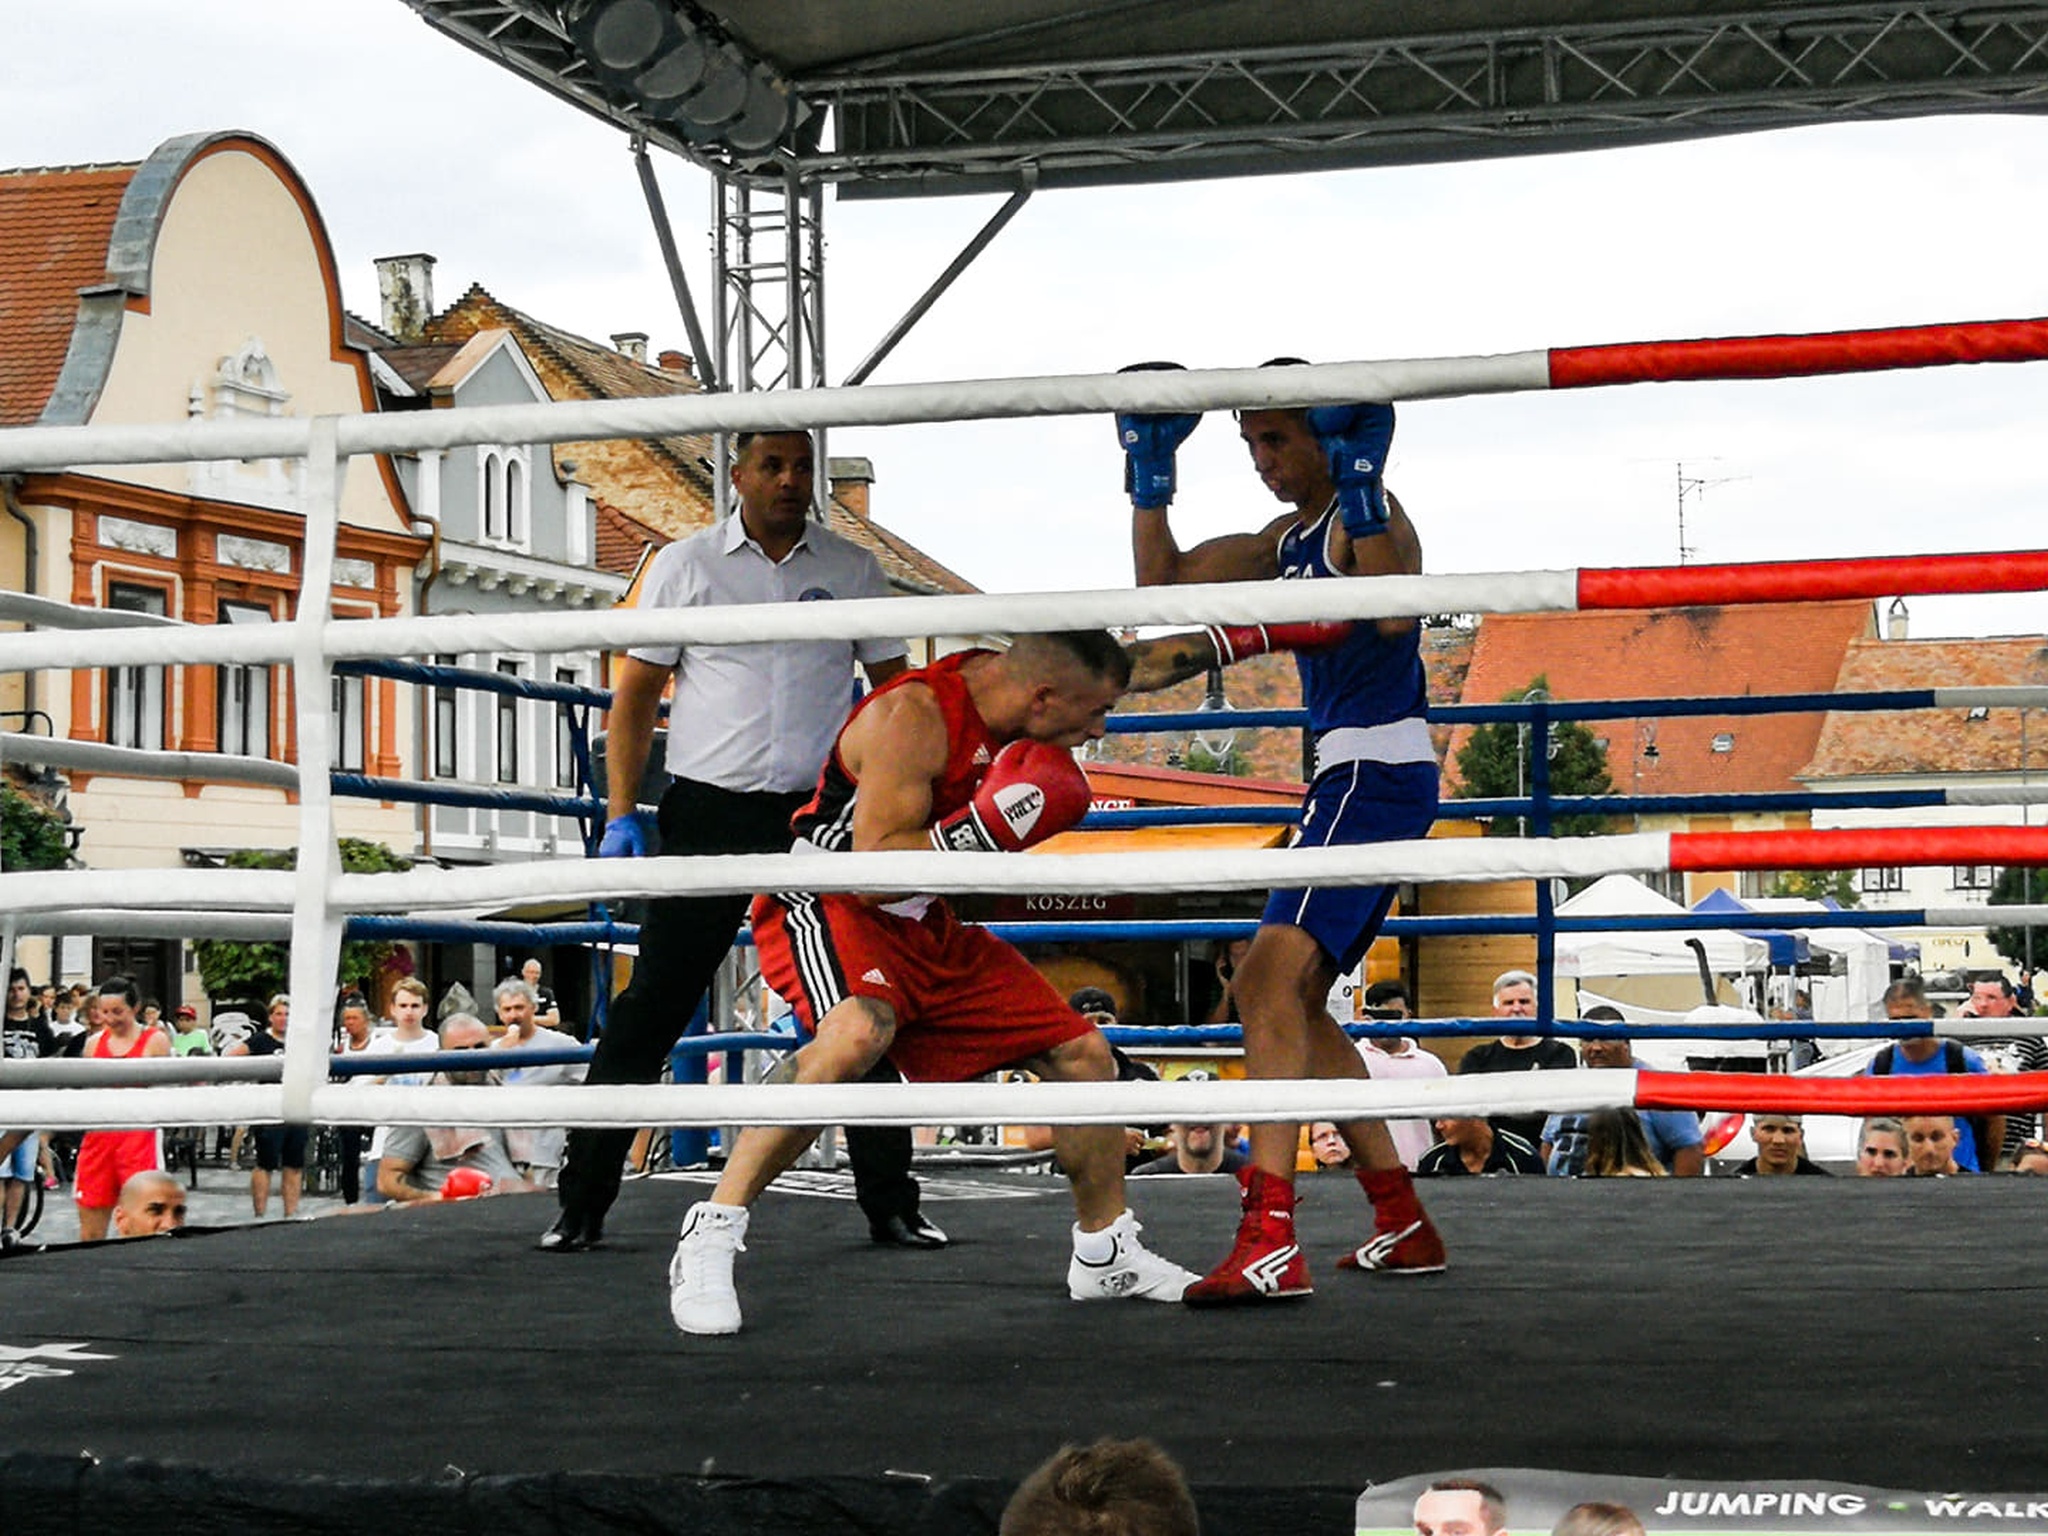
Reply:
x=966, y=755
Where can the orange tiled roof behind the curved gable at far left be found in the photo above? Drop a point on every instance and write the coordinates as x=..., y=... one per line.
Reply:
x=54, y=230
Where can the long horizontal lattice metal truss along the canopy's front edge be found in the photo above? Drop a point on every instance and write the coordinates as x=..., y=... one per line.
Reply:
x=1426, y=97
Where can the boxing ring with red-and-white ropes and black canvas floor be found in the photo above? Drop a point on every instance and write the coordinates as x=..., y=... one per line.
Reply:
x=540, y=1394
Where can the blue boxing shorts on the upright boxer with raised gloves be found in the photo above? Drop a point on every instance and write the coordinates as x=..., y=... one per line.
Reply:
x=1355, y=804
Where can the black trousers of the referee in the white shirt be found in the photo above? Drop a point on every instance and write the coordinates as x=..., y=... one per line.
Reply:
x=683, y=943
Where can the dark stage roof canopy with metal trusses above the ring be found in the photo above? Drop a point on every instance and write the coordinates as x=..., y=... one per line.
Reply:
x=921, y=97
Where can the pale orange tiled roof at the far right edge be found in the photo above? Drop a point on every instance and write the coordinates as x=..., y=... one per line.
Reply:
x=1934, y=740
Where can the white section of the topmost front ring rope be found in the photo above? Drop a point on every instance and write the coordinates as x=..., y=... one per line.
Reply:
x=790, y=411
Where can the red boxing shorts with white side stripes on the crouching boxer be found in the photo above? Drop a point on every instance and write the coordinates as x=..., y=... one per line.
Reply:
x=966, y=1002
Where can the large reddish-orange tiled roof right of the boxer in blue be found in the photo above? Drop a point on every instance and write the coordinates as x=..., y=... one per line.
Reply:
x=1672, y=654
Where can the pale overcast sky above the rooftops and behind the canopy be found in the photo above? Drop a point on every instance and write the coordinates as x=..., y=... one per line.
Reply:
x=411, y=142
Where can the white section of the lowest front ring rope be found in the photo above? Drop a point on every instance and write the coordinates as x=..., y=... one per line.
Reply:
x=683, y=1105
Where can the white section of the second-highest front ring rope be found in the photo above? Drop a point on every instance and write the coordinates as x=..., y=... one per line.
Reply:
x=984, y=613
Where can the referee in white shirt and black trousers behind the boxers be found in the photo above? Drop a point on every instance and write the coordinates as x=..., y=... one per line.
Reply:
x=749, y=732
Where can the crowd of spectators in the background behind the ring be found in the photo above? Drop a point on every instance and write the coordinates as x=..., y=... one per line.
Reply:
x=382, y=1164
